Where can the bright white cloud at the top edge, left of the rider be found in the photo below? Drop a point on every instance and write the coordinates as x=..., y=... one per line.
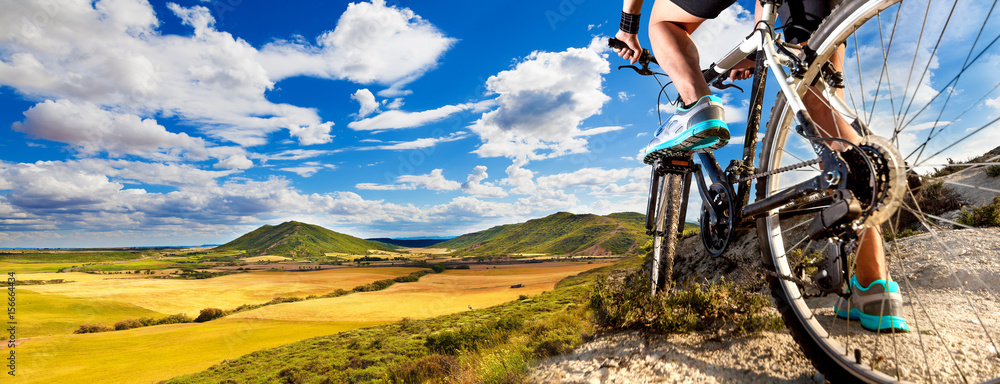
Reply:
x=372, y=43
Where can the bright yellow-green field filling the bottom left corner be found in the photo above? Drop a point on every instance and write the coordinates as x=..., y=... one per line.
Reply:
x=152, y=354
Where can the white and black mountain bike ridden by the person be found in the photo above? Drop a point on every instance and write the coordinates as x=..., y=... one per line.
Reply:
x=917, y=78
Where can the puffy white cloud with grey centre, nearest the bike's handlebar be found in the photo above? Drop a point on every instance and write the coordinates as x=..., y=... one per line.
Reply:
x=542, y=103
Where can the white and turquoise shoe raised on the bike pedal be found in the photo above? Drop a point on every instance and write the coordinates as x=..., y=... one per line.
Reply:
x=700, y=128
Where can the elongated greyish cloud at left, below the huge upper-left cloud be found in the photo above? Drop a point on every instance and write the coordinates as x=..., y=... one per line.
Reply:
x=90, y=130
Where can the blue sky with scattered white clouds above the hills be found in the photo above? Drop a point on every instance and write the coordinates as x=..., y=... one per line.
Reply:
x=130, y=123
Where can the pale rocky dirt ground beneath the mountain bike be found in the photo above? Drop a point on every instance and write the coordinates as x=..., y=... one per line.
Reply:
x=930, y=289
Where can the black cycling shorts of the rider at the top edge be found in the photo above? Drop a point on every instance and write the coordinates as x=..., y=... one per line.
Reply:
x=800, y=18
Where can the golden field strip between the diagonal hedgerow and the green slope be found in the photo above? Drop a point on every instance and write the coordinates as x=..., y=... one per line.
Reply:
x=434, y=295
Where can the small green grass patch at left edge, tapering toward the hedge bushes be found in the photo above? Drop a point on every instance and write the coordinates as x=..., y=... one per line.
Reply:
x=51, y=314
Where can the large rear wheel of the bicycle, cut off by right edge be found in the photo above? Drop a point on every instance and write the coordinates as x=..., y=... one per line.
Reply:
x=923, y=75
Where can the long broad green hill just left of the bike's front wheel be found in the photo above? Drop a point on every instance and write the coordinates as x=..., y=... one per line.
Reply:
x=558, y=234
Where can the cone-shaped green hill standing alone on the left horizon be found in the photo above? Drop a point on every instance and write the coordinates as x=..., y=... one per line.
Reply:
x=295, y=239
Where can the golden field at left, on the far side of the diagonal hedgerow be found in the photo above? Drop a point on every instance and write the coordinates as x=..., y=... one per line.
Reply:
x=172, y=296
